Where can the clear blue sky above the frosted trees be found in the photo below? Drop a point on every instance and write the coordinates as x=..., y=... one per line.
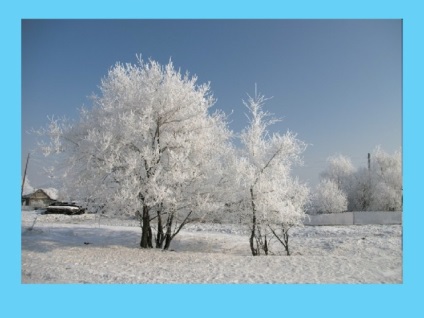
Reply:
x=336, y=83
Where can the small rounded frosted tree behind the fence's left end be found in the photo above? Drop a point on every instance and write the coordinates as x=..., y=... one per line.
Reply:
x=329, y=198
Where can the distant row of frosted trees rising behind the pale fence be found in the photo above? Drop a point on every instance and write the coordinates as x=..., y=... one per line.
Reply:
x=377, y=187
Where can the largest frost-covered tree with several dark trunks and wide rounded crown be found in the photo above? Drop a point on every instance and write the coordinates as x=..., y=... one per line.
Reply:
x=149, y=146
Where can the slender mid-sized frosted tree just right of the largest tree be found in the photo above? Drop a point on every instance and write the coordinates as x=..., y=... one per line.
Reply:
x=271, y=200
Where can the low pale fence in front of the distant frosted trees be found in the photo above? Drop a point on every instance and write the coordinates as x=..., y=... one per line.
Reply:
x=355, y=218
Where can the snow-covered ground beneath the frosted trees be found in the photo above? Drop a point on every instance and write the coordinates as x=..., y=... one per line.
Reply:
x=84, y=249
